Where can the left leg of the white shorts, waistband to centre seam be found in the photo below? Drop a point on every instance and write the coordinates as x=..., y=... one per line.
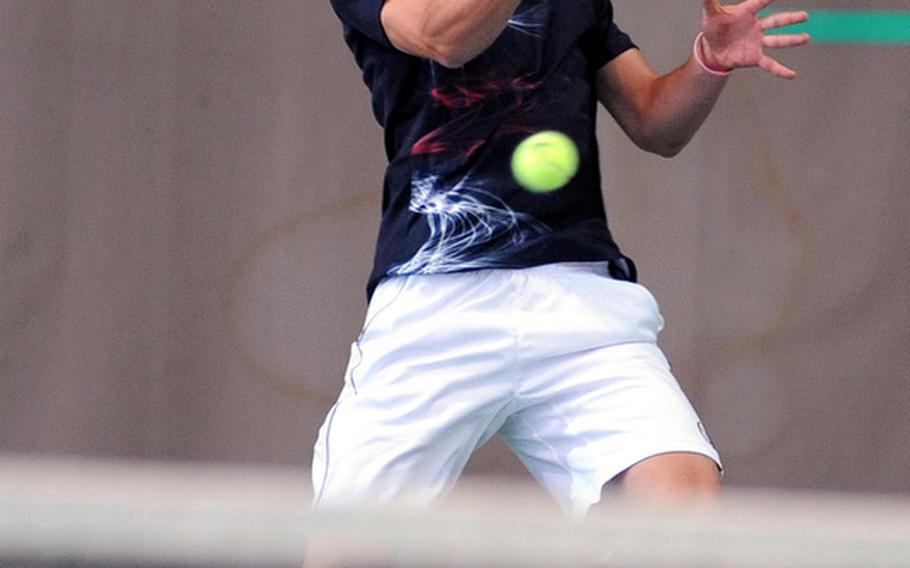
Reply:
x=423, y=388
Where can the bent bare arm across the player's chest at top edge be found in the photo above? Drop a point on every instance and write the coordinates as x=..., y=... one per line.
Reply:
x=451, y=32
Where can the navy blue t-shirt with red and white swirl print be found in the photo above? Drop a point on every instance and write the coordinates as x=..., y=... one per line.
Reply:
x=450, y=202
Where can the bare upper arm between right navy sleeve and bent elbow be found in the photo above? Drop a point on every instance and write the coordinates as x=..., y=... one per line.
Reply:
x=625, y=86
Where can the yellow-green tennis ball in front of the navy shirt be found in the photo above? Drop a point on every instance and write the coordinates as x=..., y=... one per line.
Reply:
x=545, y=161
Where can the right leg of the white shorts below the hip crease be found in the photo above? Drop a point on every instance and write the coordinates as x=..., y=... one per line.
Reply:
x=604, y=412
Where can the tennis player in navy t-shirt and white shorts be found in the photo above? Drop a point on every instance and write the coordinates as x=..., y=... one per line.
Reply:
x=495, y=310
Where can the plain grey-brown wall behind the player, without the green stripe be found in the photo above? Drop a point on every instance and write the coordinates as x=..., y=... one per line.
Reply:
x=189, y=194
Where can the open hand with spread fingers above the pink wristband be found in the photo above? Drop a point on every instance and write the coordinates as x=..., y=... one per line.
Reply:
x=734, y=36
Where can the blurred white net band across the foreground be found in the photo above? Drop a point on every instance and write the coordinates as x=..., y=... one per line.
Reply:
x=74, y=512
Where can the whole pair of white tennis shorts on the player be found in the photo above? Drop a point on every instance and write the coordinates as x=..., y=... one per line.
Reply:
x=561, y=360
